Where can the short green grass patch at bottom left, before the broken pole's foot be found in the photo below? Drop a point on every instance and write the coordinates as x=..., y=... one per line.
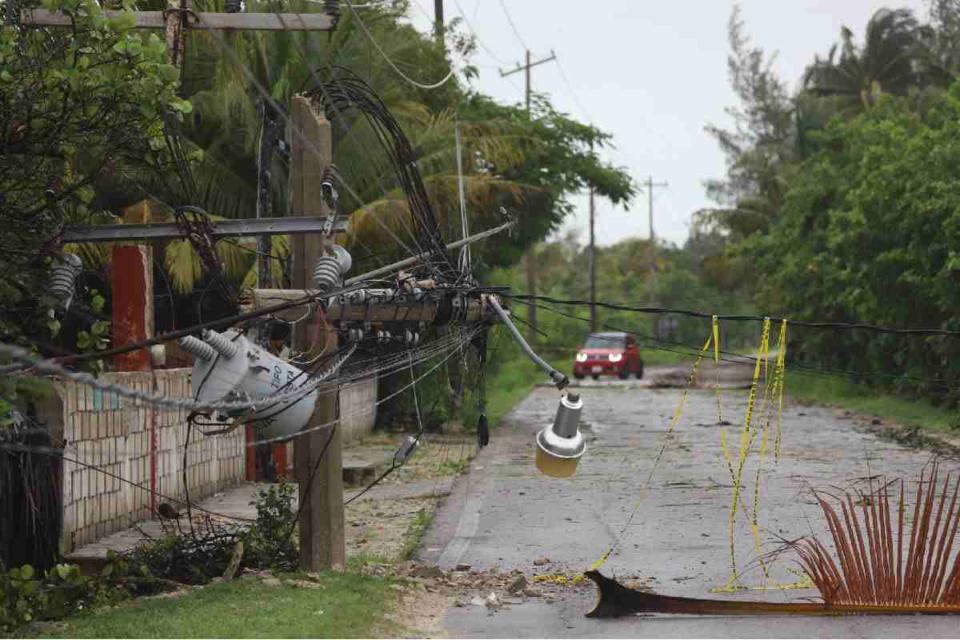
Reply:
x=346, y=605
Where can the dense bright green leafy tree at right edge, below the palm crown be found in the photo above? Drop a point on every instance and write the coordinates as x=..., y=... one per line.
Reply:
x=869, y=229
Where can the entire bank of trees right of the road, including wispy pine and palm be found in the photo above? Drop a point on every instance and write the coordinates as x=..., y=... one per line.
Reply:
x=840, y=201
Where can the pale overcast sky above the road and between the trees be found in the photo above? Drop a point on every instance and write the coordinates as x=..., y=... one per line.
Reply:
x=652, y=73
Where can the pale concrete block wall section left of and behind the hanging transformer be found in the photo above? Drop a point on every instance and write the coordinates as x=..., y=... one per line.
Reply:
x=122, y=436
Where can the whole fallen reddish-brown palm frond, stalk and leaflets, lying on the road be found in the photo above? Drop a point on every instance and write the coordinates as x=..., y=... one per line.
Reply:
x=886, y=561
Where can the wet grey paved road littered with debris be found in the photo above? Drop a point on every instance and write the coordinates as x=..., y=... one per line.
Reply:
x=503, y=514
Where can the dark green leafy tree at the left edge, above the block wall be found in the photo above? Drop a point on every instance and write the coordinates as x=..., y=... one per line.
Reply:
x=76, y=106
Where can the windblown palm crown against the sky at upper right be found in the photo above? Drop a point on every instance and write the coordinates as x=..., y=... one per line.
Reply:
x=852, y=77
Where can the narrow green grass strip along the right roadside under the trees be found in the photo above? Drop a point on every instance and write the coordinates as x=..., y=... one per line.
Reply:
x=867, y=400
